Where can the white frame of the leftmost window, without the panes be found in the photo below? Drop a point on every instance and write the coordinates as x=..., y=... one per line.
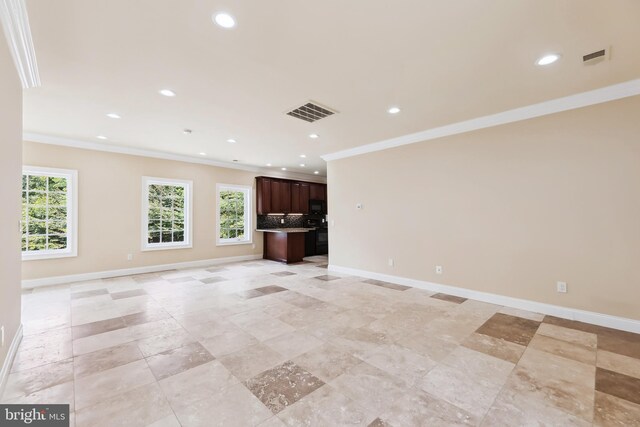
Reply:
x=72, y=213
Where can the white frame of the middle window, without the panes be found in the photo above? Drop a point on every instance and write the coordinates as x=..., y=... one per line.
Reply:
x=188, y=217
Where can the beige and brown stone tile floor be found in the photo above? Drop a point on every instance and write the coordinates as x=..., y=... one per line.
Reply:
x=265, y=344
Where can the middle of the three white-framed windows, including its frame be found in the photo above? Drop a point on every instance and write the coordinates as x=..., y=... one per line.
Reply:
x=166, y=218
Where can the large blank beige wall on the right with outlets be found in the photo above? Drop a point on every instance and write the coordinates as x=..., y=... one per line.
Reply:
x=508, y=210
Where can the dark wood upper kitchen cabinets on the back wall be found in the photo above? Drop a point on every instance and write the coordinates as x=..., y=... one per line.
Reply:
x=274, y=195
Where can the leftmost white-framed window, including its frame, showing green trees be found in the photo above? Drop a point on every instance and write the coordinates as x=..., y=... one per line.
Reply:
x=49, y=213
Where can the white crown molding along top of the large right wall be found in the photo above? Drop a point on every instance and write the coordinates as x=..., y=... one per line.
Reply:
x=584, y=99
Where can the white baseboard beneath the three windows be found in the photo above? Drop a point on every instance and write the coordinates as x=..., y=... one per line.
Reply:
x=59, y=280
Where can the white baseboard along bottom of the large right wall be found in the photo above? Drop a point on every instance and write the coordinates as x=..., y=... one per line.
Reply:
x=600, y=319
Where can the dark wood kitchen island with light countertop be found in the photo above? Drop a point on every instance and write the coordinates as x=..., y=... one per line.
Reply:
x=284, y=244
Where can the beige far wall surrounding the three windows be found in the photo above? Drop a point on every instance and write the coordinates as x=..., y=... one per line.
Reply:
x=110, y=210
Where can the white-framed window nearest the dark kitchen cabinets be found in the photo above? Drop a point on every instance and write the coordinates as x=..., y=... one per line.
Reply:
x=233, y=214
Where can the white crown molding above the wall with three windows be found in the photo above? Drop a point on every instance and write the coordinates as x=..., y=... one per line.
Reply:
x=120, y=149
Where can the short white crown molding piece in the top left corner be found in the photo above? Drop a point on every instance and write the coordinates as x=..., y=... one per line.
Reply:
x=15, y=22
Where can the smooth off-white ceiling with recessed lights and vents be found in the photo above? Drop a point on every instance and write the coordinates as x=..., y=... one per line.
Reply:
x=440, y=61
